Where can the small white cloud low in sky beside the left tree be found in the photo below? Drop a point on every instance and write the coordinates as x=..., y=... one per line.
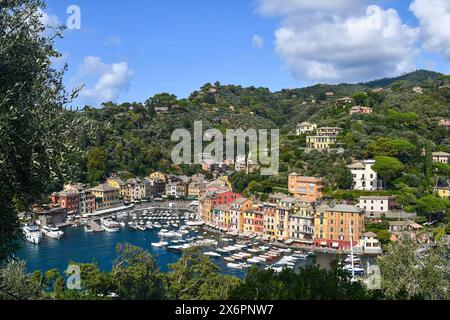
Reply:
x=111, y=79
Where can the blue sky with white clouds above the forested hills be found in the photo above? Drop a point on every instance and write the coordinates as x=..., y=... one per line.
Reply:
x=143, y=47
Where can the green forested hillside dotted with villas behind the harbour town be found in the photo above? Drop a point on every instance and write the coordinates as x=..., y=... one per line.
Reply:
x=135, y=137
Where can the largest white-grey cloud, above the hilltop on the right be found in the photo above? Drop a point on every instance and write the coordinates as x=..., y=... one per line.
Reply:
x=341, y=41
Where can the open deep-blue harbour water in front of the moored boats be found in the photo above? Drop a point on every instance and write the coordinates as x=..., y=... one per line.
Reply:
x=78, y=246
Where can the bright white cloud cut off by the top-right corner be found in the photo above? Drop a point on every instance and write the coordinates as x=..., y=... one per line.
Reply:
x=434, y=18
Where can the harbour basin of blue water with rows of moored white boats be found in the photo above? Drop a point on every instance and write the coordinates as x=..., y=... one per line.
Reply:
x=165, y=233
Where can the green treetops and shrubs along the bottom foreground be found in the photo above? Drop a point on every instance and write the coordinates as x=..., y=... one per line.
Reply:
x=135, y=276
